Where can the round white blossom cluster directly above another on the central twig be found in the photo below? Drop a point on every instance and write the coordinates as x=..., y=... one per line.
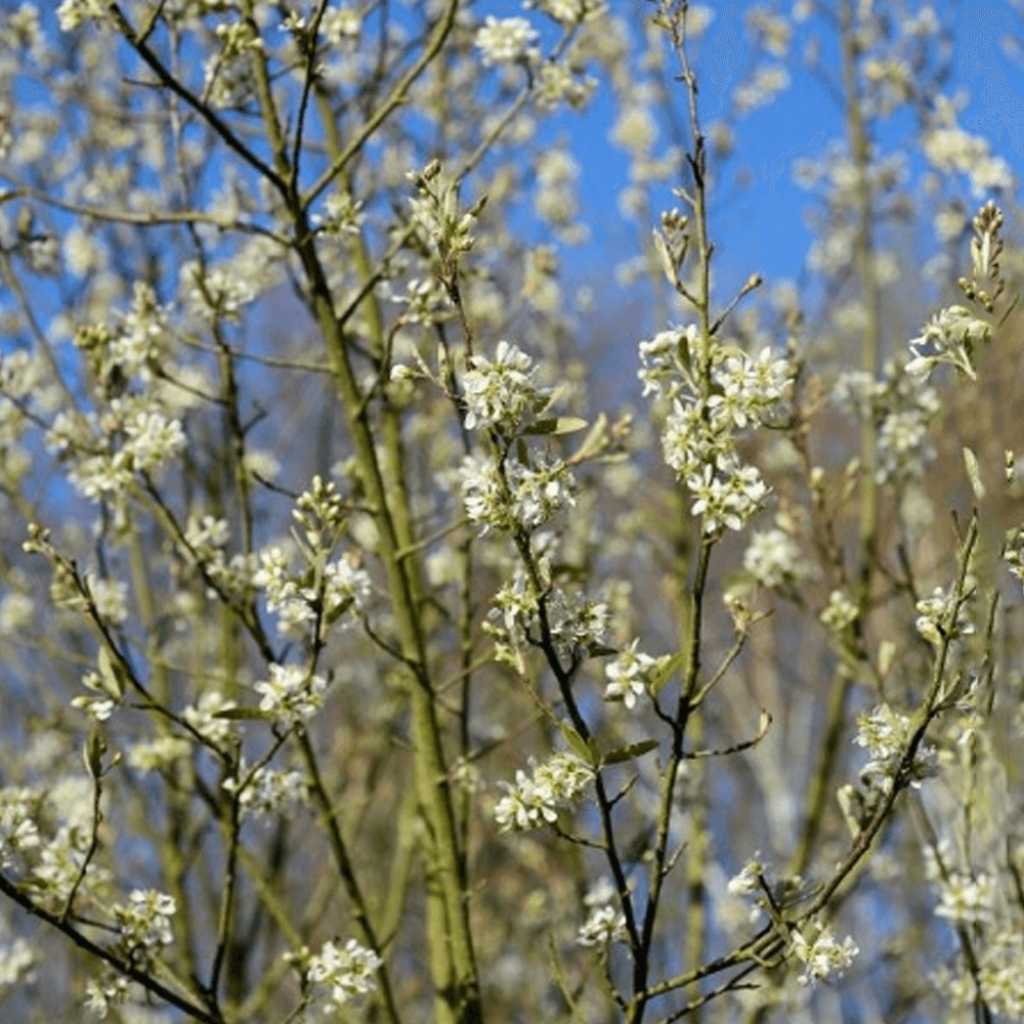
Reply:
x=502, y=394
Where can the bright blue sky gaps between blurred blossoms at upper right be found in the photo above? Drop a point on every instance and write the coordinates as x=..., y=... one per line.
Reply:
x=757, y=217
